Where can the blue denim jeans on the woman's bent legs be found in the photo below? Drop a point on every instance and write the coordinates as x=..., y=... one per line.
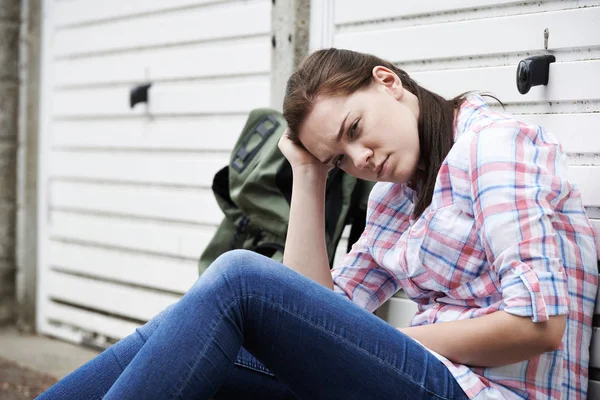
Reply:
x=316, y=345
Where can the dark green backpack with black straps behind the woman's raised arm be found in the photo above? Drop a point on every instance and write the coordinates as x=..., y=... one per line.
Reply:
x=254, y=191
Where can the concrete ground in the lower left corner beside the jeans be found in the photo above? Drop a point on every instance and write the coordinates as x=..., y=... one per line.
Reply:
x=29, y=364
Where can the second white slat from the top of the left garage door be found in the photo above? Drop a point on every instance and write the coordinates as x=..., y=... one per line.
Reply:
x=226, y=20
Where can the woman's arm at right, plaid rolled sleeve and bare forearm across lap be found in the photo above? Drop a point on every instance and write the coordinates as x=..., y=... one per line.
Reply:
x=517, y=182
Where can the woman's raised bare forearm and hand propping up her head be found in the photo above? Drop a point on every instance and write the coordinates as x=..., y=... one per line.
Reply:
x=305, y=247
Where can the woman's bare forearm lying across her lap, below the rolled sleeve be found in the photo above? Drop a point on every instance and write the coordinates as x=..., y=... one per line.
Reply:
x=496, y=339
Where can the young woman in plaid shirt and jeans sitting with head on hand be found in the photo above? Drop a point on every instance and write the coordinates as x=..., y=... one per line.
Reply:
x=473, y=218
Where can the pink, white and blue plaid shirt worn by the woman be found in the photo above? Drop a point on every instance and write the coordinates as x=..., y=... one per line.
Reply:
x=505, y=231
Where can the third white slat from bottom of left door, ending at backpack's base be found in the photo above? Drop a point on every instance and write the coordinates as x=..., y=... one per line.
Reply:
x=116, y=265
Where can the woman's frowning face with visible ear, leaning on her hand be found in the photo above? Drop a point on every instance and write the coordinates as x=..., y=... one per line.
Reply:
x=371, y=134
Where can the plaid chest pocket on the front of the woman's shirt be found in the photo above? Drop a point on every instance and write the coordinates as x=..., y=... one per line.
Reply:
x=451, y=252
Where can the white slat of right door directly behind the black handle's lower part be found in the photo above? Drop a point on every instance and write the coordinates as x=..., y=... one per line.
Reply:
x=565, y=82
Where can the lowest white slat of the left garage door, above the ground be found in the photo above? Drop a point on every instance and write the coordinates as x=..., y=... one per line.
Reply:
x=90, y=321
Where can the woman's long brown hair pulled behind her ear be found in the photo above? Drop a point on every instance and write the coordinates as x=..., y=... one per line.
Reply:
x=337, y=72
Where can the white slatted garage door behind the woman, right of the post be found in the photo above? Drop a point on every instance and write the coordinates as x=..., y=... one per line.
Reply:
x=452, y=46
